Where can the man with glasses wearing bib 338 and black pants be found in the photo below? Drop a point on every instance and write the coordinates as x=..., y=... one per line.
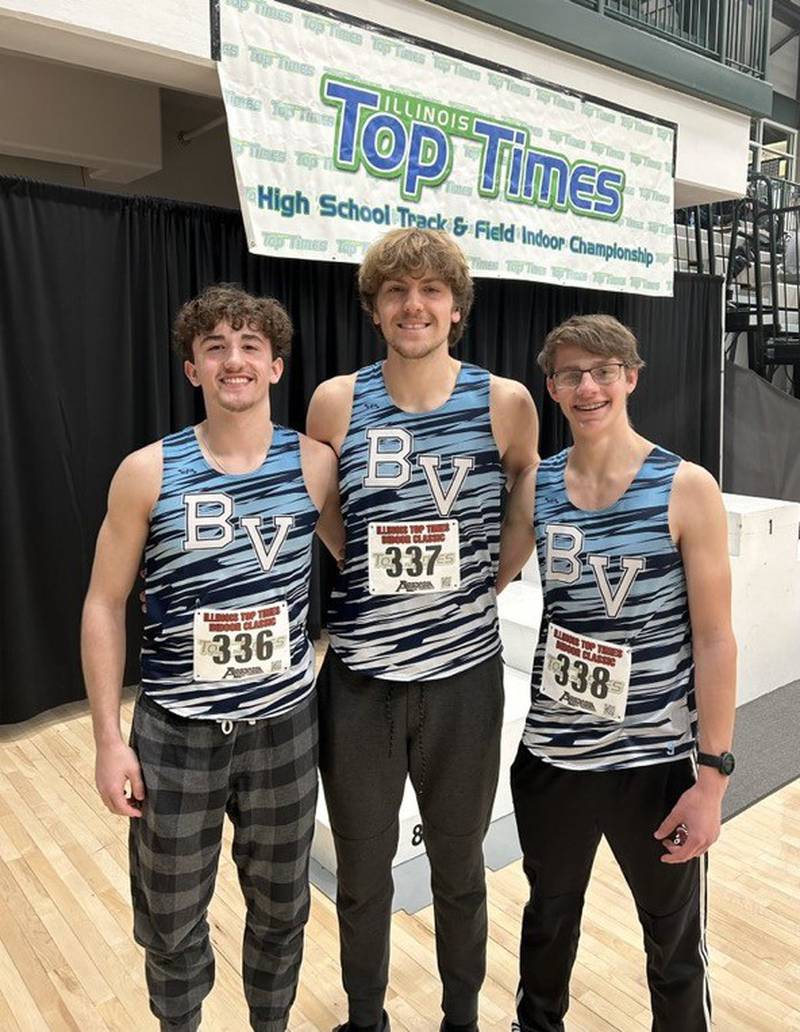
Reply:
x=633, y=685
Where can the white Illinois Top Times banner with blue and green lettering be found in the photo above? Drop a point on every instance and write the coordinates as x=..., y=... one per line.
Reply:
x=341, y=132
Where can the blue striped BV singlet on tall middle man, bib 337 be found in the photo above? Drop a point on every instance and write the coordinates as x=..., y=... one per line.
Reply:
x=422, y=468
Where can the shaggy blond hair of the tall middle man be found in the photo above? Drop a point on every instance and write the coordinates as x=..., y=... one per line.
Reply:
x=415, y=252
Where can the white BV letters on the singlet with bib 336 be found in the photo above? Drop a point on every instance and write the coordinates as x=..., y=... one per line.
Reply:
x=208, y=531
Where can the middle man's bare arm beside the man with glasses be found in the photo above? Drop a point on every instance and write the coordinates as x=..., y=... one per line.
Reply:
x=516, y=427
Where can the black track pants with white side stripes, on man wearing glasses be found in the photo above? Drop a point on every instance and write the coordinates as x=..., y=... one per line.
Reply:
x=561, y=818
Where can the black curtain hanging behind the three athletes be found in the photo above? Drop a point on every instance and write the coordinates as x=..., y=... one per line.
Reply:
x=90, y=285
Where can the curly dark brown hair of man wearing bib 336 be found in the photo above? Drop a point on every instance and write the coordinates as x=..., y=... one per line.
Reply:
x=229, y=303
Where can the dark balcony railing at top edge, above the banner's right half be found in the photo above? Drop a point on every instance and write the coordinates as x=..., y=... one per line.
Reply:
x=734, y=33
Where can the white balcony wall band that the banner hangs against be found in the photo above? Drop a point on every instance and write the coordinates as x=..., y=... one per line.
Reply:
x=168, y=43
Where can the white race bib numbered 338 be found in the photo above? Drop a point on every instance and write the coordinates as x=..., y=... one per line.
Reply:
x=587, y=675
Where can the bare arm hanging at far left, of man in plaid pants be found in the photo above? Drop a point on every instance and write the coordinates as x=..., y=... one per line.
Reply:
x=118, y=558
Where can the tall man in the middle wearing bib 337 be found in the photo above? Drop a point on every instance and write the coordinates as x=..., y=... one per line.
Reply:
x=413, y=682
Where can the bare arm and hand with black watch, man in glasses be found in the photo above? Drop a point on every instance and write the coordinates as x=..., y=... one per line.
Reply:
x=700, y=530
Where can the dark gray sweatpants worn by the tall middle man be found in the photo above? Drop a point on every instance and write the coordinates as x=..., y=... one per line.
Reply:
x=444, y=734
